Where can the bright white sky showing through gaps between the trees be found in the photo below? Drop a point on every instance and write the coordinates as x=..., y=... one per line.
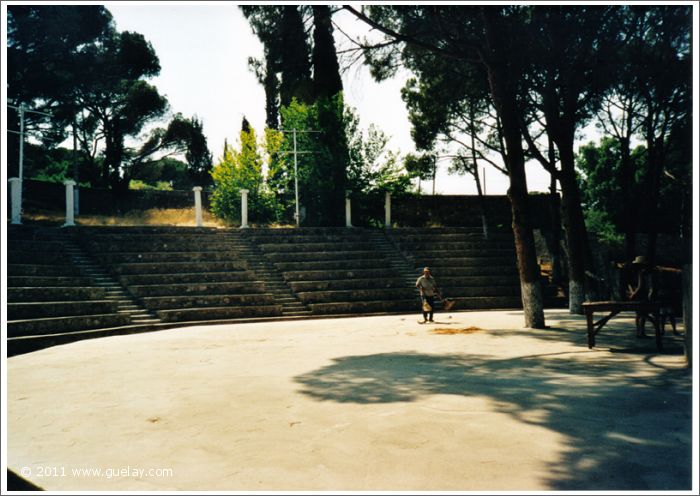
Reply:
x=204, y=49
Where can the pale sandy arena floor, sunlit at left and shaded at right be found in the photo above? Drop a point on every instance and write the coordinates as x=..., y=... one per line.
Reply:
x=472, y=402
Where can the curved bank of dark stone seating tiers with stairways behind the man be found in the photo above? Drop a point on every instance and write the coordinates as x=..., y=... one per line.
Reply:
x=81, y=282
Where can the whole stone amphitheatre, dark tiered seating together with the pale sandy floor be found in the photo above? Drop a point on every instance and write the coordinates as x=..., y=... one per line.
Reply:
x=291, y=359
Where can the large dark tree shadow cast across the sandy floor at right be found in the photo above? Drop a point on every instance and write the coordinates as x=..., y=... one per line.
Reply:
x=625, y=428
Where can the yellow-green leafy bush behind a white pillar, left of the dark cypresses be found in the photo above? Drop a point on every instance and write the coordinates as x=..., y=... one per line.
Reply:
x=243, y=169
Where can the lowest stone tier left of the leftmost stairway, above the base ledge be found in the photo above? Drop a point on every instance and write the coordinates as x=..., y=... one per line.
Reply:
x=73, y=323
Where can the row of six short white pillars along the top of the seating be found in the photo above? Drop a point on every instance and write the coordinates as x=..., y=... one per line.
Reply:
x=16, y=207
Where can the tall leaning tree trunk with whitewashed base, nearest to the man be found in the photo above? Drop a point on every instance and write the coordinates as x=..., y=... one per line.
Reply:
x=496, y=60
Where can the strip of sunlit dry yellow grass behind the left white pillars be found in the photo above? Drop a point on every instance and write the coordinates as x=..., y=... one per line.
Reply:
x=151, y=217
